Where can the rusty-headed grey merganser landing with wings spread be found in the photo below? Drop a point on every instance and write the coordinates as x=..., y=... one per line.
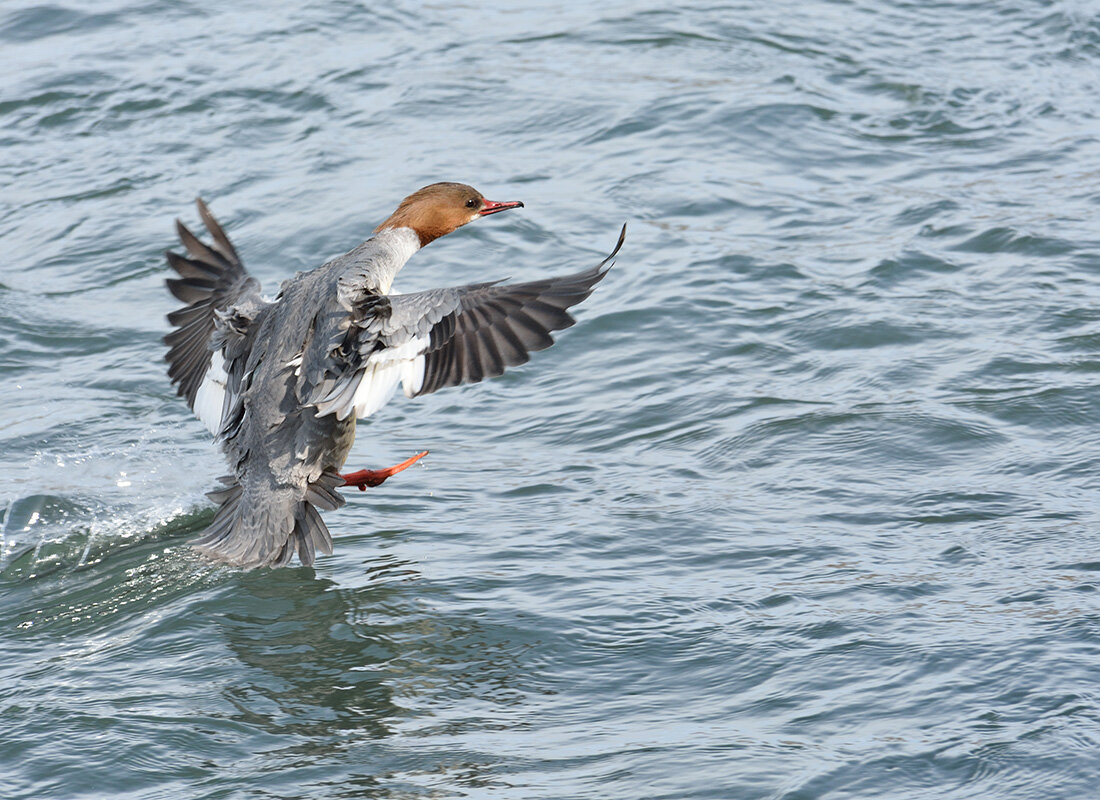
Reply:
x=282, y=383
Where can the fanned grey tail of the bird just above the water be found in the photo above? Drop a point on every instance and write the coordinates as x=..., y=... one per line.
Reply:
x=267, y=529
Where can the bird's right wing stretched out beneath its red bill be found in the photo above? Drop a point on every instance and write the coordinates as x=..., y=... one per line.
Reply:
x=430, y=341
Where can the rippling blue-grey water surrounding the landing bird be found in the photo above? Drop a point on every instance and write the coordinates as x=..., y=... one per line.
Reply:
x=805, y=507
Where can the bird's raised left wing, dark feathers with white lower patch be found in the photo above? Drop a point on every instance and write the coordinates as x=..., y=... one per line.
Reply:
x=222, y=301
